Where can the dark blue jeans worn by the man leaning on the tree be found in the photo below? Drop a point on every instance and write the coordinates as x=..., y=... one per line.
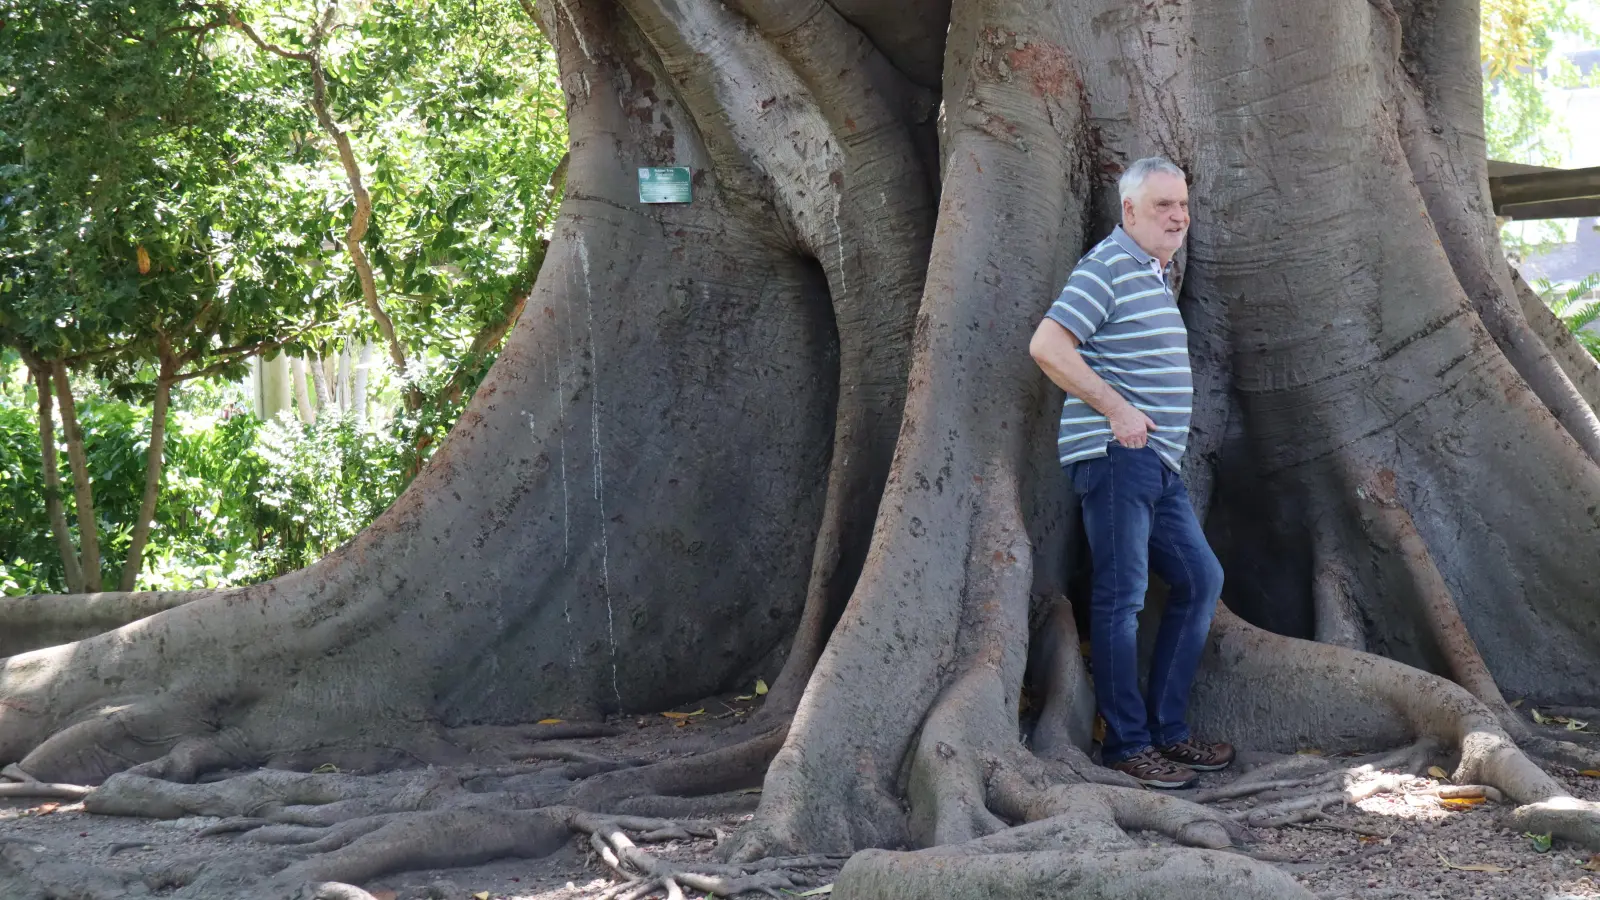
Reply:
x=1138, y=516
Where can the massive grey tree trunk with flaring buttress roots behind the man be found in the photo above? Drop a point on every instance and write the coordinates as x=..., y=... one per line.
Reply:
x=794, y=424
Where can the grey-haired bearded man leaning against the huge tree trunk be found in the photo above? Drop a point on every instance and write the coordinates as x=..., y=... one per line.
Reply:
x=1116, y=344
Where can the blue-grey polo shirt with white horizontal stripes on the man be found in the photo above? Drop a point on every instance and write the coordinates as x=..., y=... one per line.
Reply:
x=1126, y=318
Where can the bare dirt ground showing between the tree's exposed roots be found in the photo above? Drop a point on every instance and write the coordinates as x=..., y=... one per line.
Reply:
x=1402, y=846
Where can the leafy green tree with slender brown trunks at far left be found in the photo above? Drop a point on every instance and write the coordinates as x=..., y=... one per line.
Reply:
x=143, y=222
